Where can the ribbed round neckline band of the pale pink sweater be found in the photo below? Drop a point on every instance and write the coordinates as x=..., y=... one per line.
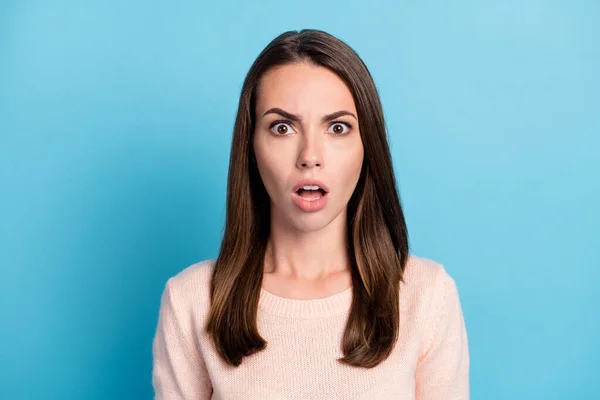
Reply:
x=334, y=304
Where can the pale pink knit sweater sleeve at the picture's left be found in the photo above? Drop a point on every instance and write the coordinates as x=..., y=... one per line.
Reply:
x=178, y=370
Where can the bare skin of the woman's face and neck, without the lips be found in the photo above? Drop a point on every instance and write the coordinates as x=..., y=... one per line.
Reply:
x=306, y=254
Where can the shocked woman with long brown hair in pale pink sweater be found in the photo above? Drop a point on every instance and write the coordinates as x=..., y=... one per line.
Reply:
x=313, y=294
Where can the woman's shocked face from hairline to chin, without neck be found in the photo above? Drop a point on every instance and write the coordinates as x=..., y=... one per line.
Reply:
x=297, y=136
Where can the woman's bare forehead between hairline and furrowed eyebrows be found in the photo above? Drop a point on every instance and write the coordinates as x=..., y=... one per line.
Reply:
x=303, y=88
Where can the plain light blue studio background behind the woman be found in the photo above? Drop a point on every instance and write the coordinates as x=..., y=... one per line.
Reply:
x=115, y=127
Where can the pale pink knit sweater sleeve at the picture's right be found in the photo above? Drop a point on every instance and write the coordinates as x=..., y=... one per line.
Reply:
x=442, y=372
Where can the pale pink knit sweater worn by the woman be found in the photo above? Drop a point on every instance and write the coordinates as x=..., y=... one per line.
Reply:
x=430, y=360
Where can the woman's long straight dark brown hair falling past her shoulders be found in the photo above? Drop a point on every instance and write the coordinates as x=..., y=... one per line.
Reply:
x=377, y=236
